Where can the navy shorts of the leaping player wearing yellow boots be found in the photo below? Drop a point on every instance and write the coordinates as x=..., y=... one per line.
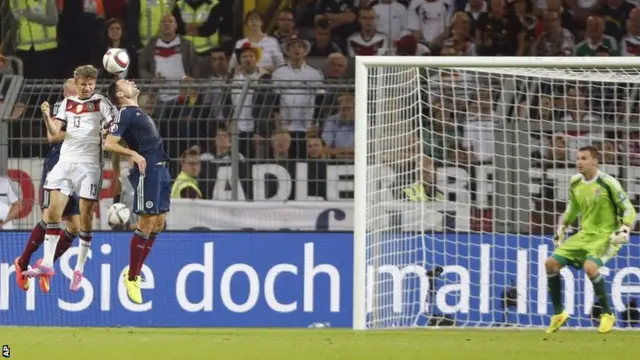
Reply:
x=152, y=191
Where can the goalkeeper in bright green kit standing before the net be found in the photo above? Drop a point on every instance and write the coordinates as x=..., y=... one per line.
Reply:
x=606, y=218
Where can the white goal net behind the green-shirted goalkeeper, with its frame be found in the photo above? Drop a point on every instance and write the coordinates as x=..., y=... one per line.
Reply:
x=463, y=166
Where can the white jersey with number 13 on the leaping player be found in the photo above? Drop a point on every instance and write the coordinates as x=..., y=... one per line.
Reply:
x=84, y=120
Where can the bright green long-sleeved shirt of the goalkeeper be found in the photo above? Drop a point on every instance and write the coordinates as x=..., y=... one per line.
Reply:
x=602, y=204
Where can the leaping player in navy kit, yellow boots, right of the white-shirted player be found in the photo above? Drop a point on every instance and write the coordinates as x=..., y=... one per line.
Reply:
x=150, y=175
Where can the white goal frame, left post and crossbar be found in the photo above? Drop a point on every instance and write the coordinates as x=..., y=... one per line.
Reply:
x=362, y=64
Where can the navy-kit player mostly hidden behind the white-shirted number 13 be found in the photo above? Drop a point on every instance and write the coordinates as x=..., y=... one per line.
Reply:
x=71, y=213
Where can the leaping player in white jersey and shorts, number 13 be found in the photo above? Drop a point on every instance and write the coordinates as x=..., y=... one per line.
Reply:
x=82, y=119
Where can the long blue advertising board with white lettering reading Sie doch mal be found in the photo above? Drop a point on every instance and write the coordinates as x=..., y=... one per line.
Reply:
x=295, y=279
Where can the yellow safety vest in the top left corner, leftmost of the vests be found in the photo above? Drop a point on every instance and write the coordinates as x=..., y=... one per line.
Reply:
x=32, y=35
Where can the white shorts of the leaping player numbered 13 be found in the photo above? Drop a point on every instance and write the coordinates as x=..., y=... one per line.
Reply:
x=83, y=179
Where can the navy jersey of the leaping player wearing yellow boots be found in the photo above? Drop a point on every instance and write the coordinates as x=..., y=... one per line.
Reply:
x=137, y=129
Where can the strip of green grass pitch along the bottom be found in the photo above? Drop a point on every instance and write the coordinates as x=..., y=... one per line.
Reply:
x=313, y=344
